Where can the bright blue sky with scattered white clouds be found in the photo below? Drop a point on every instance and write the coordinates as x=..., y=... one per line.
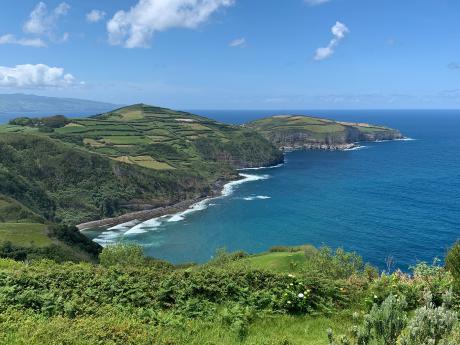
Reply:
x=235, y=54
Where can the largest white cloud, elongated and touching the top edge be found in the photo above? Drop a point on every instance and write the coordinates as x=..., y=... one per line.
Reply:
x=136, y=27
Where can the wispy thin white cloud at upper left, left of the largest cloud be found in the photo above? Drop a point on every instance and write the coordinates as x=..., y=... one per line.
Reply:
x=43, y=22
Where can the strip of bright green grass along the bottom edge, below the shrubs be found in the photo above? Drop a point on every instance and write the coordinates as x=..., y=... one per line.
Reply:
x=19, y=327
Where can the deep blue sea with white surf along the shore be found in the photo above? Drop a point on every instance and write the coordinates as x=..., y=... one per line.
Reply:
x=398, y=199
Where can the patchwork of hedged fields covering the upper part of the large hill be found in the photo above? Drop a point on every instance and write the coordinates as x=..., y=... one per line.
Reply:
x=165, y=139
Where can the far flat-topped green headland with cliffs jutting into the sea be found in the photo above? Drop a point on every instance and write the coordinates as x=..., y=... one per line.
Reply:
x=292, y=131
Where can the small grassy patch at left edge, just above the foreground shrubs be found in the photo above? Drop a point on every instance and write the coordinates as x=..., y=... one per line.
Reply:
x=25, y=234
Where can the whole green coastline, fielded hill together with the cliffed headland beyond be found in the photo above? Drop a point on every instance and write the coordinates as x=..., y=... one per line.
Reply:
x=142, y=161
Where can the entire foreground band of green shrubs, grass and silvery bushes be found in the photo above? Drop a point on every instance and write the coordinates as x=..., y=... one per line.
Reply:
x=332, y=298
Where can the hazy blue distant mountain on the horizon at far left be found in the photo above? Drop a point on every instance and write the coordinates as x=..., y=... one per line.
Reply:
x=14, y=105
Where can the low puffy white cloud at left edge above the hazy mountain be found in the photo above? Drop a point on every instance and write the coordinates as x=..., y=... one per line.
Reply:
x=35, y=76
